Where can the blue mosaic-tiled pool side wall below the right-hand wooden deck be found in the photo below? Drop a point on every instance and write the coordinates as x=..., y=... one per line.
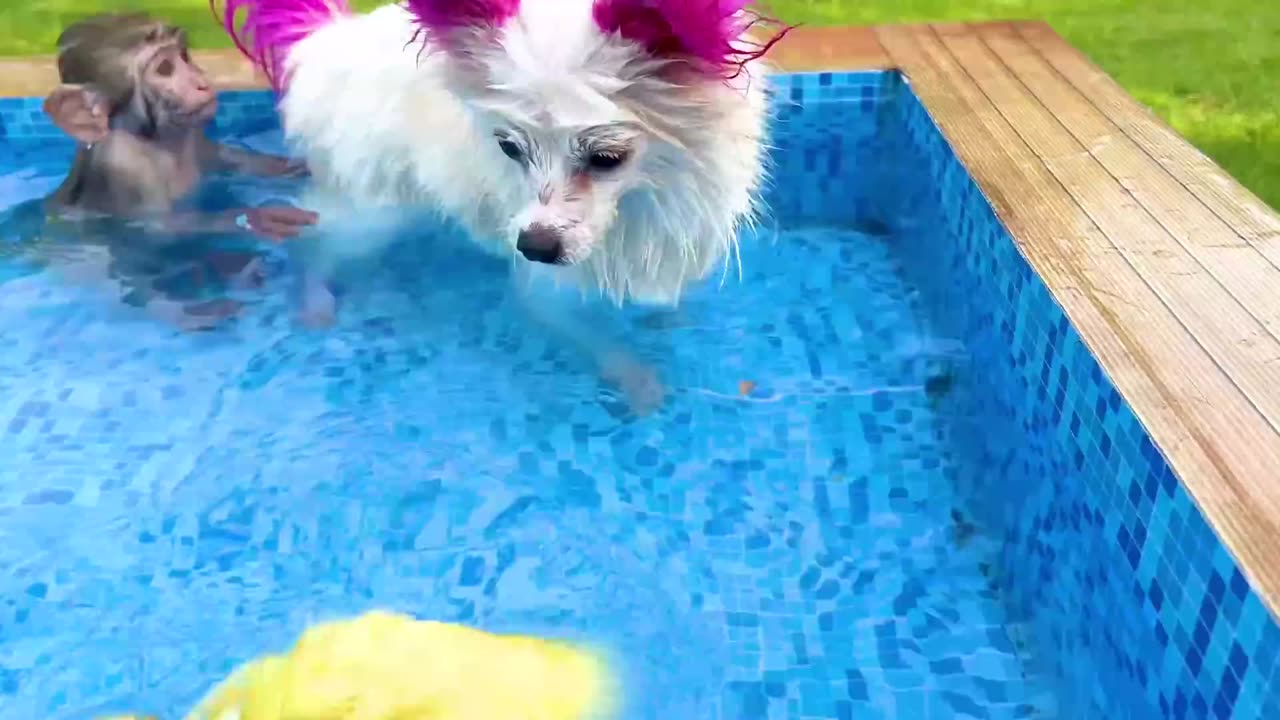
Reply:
x=1126, y=590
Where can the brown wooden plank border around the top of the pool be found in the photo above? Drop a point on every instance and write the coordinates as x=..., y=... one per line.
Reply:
x=1163, y=262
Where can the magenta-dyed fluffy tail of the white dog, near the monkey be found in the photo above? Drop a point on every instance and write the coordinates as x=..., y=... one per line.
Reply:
x=273, y=28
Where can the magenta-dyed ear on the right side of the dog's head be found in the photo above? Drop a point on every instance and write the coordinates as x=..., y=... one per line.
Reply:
x=706, y=33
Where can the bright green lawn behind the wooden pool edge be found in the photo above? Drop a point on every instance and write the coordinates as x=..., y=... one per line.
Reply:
x=1212, y=70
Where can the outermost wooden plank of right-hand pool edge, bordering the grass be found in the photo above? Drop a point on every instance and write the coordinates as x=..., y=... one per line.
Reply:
x=1245, y=212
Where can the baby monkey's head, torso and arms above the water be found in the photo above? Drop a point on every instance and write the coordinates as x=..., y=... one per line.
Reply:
x=138, y=104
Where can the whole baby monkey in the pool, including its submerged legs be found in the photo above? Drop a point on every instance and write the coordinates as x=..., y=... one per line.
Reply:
x=138, y=106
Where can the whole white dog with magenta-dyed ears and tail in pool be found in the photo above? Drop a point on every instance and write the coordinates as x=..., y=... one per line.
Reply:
x=615, y=145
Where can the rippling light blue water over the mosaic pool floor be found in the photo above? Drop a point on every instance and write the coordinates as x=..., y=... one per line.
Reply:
x=175, y=505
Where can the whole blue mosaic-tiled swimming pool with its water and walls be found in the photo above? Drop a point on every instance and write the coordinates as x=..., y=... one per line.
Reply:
x=890, y=481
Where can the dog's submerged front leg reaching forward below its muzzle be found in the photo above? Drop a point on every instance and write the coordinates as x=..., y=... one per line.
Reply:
x=565, y=315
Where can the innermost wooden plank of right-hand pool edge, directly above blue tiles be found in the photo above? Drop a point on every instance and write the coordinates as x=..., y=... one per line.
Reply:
x=1192, y=411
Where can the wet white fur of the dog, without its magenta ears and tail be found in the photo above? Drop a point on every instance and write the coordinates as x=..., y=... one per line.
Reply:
x=386, y=122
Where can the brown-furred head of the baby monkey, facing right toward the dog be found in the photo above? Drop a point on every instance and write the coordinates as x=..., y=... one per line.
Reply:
x=143, y=70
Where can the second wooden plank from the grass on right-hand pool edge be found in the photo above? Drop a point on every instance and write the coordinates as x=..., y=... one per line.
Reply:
x=1233, y=262
